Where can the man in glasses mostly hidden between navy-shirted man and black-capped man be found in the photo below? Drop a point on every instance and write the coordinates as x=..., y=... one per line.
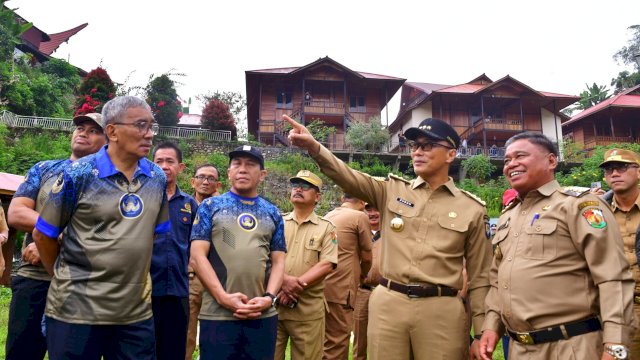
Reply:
x=205, y=183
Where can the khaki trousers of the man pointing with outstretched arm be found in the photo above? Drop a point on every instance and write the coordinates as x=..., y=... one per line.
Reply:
x=403, y=328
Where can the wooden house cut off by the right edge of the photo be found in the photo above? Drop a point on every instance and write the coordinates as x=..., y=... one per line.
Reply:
x=615, y=120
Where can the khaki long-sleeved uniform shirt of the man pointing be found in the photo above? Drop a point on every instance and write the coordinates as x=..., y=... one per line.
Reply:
x=440, y=227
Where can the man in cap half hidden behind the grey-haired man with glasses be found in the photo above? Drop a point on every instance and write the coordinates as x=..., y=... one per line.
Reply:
x=30, y=283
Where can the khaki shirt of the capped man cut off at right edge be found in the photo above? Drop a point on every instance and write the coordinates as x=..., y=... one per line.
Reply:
x=628, y=222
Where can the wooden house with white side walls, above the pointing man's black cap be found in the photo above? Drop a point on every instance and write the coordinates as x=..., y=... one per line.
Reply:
x=485, y=113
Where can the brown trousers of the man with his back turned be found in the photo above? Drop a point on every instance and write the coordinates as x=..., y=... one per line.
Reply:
x=338, y=325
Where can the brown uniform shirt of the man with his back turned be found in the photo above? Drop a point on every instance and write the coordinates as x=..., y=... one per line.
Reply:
x=354, y=238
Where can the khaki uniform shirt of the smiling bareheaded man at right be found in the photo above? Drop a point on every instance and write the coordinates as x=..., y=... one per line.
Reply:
x=559, y=259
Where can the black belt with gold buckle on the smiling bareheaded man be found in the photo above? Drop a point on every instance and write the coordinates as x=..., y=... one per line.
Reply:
x=556, y=333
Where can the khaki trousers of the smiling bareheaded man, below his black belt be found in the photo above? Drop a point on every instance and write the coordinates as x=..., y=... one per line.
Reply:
x=582, y=347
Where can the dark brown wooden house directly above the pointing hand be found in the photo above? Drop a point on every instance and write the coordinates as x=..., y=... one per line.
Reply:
x=324, y=90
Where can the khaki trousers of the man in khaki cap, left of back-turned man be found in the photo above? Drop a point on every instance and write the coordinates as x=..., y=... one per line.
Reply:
x=306, y=339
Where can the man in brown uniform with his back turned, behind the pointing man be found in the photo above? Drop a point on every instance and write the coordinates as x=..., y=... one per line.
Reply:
x=354, y=262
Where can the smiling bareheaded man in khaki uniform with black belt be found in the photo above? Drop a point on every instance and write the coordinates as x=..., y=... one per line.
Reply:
x=560, y=283
